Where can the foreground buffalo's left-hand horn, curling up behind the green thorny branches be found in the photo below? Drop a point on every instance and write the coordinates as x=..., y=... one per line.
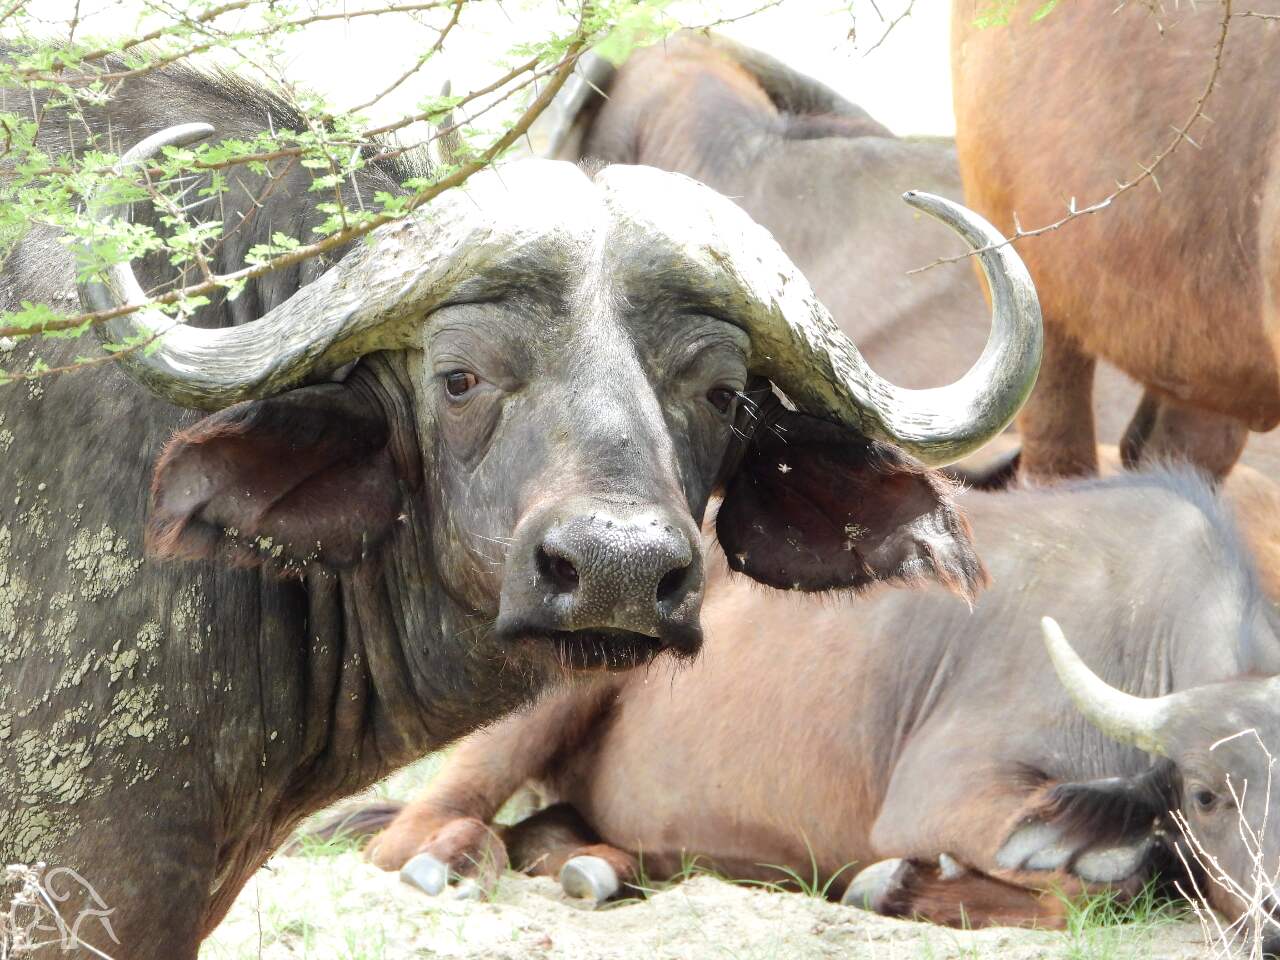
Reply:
x=374, y=299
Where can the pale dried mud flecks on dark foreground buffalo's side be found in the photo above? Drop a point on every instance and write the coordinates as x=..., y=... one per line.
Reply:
x=76, y=730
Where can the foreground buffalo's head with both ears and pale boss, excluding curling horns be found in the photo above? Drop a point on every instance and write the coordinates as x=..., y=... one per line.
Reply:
x=559, y=417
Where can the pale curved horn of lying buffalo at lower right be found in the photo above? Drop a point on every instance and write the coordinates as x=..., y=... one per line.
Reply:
x=1126, y=719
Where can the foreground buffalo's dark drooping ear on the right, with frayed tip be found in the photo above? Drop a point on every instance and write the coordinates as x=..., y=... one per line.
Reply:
x=813, y=506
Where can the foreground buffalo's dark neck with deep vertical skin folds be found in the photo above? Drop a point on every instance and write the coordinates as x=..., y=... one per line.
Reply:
x=378, y=682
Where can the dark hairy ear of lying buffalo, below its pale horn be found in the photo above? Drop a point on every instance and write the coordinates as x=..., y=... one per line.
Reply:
x=1104, y=831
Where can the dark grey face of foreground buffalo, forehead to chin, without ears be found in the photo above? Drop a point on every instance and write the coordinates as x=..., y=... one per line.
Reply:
x=578, y=423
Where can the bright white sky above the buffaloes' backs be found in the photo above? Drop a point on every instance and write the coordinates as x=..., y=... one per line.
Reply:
x=906, y=83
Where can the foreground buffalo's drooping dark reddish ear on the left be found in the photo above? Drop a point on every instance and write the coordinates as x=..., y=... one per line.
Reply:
x=296, y=479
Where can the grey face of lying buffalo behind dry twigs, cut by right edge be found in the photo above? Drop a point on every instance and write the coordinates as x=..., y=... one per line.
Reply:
x=1222, y=748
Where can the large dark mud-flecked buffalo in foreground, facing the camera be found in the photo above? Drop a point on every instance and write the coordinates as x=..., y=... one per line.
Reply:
x=472, y=455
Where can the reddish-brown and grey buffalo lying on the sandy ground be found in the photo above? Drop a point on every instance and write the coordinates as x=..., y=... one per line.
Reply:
x=819, y=735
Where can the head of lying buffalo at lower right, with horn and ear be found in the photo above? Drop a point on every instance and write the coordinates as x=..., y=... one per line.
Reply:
x=1208, y=803
